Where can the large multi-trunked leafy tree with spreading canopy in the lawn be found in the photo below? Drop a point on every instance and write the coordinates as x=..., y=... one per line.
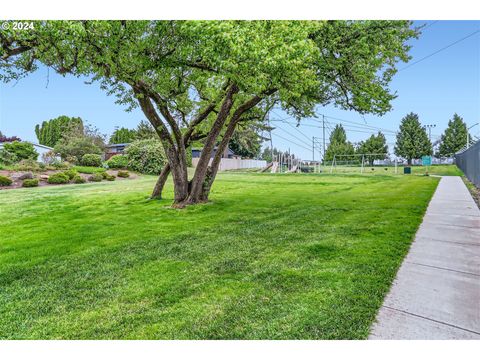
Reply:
x=196, y=80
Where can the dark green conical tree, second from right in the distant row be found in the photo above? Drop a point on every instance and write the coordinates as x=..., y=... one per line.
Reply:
x=412, y=139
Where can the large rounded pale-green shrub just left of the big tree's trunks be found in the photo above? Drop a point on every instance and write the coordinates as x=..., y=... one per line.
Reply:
x=146, y=156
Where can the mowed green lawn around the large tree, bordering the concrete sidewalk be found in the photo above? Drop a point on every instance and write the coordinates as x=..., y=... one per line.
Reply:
x=287, y=256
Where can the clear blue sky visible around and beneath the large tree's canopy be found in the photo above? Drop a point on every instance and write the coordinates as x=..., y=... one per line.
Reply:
x=435, y=88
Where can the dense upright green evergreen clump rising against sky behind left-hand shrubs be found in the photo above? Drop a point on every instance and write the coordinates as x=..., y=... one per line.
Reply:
x=52, y=131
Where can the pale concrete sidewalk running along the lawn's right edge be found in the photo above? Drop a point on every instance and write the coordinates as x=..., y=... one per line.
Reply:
x=436, y=294
